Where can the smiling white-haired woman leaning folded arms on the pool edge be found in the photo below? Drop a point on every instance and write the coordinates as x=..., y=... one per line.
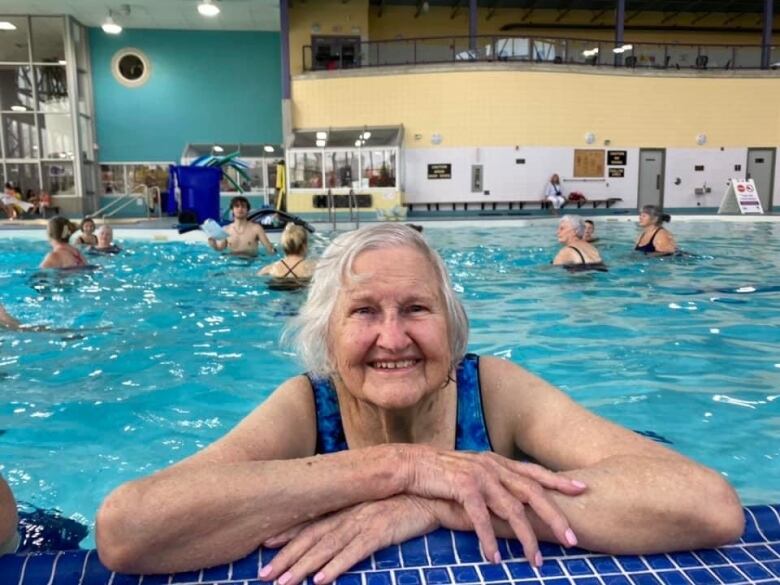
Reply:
x=395, y=431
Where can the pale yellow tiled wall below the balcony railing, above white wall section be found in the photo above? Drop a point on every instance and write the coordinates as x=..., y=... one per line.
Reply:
x=510, y=107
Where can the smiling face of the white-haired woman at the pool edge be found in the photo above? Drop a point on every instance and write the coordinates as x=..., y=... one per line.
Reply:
x=388, y=334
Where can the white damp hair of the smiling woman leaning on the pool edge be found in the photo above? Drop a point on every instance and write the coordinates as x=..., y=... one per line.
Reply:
x=309, y=332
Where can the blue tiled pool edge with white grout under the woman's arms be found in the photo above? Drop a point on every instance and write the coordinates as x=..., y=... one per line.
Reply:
x=453, y=558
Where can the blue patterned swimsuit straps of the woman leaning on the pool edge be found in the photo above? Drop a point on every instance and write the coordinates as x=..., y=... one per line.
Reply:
x=470, y=435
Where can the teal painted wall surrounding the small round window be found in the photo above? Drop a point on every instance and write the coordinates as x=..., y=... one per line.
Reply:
x=205, y=87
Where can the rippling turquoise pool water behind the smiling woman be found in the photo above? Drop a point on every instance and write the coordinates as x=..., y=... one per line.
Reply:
x=683, y=347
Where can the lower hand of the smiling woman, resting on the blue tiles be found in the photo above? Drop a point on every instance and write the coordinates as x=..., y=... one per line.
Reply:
x=332, y=544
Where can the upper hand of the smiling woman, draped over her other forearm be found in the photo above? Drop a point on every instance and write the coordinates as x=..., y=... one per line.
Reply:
x=485, y=484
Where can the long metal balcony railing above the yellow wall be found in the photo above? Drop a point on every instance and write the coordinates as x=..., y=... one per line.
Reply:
x=546, y=48
